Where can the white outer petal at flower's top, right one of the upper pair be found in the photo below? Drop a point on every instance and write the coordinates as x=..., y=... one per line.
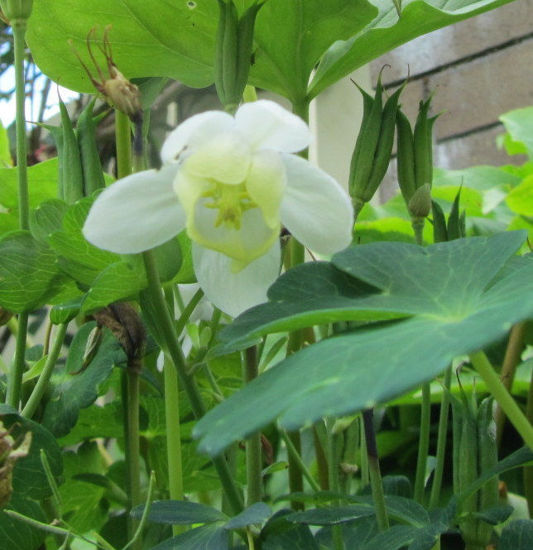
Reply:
x=267, y=125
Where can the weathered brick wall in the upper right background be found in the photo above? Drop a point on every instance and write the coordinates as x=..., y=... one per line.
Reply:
x=477, y=69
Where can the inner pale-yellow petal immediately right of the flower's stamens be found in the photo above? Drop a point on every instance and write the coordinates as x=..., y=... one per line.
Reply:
x=266, y=183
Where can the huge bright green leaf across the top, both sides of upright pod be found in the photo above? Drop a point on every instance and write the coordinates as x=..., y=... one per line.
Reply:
x=177, y=39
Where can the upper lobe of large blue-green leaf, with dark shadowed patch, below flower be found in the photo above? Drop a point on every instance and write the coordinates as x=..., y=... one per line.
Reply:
x=378, y=282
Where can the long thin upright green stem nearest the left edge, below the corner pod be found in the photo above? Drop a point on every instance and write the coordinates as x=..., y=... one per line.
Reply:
x=19, y=32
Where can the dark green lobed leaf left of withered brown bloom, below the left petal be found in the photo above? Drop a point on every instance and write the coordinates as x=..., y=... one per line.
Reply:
x=75, y=386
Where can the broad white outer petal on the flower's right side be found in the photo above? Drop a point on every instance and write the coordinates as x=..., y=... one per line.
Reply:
x=315, y=208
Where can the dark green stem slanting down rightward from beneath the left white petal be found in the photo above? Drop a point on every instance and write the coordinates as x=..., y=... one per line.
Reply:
x=170, y=336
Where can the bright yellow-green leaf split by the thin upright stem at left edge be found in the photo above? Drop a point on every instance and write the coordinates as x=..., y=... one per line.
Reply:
x=42, y=185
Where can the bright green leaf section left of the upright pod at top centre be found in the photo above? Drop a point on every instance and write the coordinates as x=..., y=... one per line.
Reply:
x=161, y=38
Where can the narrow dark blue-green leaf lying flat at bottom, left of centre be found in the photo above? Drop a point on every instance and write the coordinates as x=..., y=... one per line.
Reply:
x=180, y=512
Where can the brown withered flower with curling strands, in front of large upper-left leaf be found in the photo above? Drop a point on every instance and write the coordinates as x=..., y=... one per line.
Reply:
x=115, y=88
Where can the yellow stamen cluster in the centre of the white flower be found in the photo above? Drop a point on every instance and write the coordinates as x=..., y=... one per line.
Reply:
x=231, y=201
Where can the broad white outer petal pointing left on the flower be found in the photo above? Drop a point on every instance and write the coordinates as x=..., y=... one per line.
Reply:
x=136, y=213
